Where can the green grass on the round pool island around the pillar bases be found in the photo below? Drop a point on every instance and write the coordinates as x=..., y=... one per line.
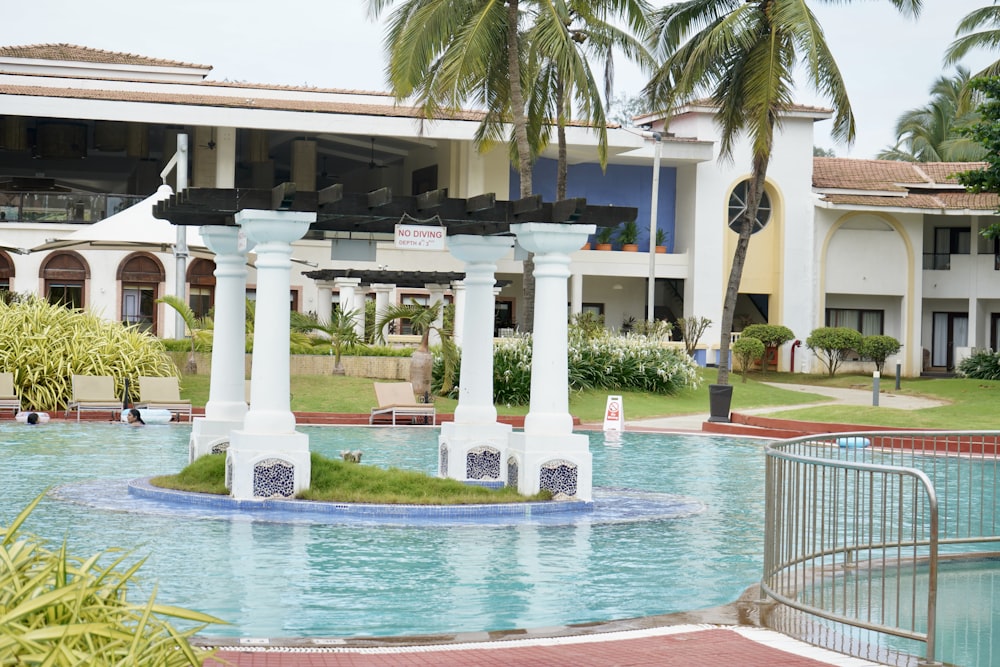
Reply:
x=338, y=481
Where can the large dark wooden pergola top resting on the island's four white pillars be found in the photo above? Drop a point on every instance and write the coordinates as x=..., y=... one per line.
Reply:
x=379, y=211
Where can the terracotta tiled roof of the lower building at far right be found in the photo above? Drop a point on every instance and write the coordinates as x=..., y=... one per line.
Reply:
x=920, y=185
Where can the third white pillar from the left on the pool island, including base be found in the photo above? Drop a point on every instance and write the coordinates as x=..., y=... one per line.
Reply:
x=474, y=446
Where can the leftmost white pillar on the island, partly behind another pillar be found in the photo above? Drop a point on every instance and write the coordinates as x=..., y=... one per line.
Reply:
x=226, y=407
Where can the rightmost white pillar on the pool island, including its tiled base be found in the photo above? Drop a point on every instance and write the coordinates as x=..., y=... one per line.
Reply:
x=547, y=454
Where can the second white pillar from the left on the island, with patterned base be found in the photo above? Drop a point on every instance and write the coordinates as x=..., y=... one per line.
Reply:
x=268, y=457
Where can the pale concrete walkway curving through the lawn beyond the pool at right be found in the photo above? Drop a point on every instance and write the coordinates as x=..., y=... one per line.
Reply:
x=833, y=396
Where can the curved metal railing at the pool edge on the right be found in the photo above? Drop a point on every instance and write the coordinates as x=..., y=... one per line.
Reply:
x=856, y=525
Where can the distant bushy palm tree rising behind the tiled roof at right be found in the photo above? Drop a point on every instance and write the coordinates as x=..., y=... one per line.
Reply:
x=930, y=133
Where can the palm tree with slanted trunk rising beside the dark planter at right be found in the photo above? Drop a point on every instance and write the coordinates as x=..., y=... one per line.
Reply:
x=743, y=54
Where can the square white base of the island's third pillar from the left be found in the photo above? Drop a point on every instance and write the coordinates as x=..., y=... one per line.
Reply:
x=473, y=452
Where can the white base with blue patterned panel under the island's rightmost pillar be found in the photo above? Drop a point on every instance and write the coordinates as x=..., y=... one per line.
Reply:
x=558, y=463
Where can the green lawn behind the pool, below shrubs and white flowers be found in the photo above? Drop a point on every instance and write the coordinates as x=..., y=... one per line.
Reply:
x=971, y=403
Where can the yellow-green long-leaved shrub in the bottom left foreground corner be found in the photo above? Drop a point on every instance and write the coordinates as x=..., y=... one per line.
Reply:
x=61, y=610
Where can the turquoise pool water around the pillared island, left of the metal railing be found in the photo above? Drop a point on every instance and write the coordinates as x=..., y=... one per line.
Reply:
x=306, y=579
